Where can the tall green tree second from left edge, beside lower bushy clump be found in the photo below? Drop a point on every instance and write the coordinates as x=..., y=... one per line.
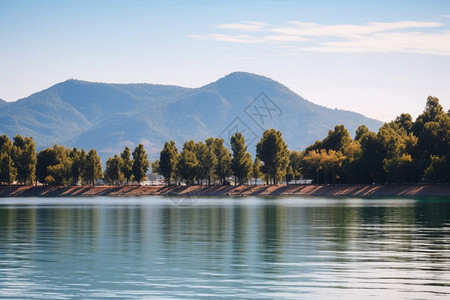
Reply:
x=24, y=157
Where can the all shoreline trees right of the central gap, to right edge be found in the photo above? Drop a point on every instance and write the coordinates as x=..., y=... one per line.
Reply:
x=402, y=151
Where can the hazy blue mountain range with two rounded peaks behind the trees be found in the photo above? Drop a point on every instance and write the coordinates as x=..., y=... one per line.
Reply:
x=108, y=117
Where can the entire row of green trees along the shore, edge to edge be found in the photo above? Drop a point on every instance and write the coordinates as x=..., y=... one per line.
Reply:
x=402, y=151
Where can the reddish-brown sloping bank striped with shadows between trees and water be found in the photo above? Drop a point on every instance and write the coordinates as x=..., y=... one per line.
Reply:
x=244, y=190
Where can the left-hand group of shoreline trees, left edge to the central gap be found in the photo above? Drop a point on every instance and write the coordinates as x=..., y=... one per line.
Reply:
x=59, y=165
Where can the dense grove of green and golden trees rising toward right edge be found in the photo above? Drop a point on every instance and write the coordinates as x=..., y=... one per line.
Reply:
x=402, y=151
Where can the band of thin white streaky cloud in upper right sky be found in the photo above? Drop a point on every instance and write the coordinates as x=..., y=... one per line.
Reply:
x=400, y=37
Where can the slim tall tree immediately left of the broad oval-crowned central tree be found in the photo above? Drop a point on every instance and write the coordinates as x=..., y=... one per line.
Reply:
x=241, y=163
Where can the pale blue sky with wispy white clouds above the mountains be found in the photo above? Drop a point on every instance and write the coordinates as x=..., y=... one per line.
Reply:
x=379, y=58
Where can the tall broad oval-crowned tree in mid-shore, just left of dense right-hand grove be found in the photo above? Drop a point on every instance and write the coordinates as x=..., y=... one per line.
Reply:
x=273, y=152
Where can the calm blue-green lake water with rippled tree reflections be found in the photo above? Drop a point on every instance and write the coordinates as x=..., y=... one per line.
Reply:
x=308, y=248
